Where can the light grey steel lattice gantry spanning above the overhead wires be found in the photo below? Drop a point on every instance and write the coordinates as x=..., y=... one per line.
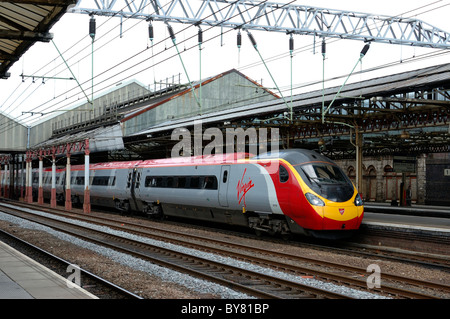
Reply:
x=271, y=16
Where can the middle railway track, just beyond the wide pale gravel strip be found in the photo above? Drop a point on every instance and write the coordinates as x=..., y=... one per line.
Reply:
x=252, y=283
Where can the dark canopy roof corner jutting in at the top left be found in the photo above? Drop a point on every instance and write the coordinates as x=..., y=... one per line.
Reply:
x=23, y=23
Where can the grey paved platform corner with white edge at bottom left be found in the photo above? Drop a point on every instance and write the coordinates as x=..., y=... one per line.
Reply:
x=23, y=278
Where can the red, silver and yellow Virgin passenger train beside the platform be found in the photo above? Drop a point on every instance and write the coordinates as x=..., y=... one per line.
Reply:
x=294, y=191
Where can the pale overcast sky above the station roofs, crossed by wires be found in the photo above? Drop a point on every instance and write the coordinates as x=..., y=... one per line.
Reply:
x=118, y=59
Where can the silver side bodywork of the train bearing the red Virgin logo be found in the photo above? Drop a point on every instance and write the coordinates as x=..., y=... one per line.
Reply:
x=239, y=187
